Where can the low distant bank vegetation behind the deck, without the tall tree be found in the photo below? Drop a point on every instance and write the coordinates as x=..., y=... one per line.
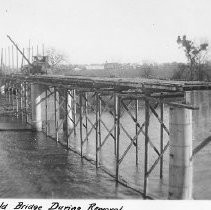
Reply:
x=165, y=71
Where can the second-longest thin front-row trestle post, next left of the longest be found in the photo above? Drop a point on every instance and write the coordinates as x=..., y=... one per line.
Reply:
x=117, y=131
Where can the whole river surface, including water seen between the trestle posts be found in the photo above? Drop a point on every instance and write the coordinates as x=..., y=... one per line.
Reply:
x=35, y=166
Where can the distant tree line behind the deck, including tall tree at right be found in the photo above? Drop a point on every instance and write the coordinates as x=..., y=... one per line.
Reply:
x=197, y=66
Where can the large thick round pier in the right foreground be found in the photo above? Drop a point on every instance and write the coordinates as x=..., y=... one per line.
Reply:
x=180, y=164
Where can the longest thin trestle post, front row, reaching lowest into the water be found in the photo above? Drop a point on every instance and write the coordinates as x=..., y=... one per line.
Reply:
x=146, y=146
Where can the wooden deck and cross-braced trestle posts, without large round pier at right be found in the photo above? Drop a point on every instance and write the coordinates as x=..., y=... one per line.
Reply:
x=69, y=99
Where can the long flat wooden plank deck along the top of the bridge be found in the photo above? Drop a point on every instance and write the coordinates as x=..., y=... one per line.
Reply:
x=99, y=83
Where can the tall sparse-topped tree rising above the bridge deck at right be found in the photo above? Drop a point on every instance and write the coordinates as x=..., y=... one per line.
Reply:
x=196, y=58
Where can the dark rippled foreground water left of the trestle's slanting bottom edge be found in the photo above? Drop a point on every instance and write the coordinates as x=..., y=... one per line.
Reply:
x=33, y=166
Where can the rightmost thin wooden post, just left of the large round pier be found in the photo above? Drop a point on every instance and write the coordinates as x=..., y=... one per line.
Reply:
x=161, y=137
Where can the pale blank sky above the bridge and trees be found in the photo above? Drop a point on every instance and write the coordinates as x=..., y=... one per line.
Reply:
x=95, y=31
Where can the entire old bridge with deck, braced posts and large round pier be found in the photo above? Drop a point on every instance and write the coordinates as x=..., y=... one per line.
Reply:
x=72, y=108
